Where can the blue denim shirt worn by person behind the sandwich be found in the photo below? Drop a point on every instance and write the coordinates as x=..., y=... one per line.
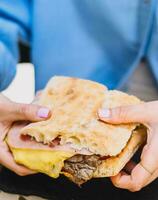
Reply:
x=102, y=40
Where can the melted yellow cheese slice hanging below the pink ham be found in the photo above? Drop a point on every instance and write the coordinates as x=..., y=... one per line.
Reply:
x=44, y=161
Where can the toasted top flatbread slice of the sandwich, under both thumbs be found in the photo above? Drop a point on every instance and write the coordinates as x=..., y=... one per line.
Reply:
x=74, y=104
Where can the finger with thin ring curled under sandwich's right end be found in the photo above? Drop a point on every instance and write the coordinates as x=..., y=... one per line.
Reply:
x=141, y=174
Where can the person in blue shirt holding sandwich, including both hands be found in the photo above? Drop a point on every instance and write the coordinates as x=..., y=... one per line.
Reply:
x=80, y=39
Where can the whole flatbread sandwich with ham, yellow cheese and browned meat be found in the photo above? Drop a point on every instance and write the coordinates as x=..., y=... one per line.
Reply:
x=73, y=141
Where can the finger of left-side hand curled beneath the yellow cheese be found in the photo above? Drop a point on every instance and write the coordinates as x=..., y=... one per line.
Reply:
x=8, y=161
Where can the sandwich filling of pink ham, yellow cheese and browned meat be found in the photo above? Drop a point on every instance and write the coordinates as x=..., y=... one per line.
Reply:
x=54, y=159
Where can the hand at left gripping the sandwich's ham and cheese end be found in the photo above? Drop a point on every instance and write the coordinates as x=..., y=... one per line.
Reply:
x=11, y=112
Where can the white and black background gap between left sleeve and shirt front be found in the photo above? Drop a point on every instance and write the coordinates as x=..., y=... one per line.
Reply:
x=22, y=88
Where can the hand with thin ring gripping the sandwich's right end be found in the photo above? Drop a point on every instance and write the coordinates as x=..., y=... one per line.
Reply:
x=146, y=170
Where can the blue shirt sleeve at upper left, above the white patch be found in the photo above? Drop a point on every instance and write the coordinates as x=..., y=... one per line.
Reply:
x=14, y=27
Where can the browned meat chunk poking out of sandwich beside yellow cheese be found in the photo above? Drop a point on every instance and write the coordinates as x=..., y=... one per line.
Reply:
x=82, y=167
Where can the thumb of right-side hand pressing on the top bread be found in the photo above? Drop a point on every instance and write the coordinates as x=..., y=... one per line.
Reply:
x=142, y=113
